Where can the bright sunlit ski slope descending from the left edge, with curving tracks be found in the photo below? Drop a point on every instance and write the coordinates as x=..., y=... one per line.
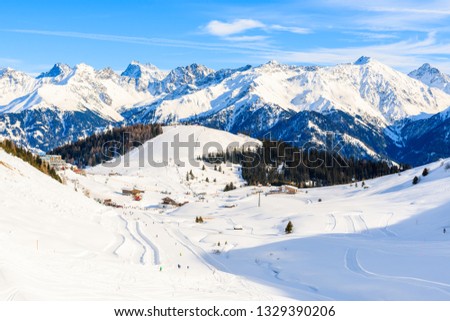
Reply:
x=57, y=244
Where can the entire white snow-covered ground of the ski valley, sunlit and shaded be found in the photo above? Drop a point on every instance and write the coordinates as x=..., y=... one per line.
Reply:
x=384, y=242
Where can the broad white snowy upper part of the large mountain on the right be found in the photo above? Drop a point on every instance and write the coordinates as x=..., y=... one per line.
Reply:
x=366, y=88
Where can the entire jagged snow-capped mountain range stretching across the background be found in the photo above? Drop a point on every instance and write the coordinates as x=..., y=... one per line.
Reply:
x=371, y=110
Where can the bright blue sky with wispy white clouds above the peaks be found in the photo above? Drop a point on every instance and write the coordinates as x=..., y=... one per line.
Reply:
x=403, y=34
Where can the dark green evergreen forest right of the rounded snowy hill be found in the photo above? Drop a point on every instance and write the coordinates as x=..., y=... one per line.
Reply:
x=277, y=163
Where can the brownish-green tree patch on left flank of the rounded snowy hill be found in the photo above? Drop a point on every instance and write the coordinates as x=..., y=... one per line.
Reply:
x=105, y=146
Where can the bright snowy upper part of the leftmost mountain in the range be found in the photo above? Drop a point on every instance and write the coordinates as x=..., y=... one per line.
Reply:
x=74, y=89
